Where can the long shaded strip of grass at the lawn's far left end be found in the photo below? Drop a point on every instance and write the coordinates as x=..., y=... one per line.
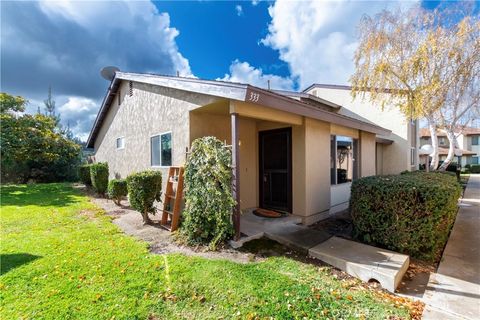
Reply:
x=48, y=194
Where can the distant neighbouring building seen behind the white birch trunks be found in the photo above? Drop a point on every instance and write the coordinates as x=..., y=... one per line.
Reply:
x=467, y=138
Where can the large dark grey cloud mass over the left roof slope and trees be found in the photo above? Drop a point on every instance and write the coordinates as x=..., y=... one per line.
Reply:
x=64, y=44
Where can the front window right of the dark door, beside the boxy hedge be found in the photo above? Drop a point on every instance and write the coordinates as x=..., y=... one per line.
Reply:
x=343, y=167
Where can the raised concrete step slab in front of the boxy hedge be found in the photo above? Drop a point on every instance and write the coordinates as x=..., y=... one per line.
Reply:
x=363, y=261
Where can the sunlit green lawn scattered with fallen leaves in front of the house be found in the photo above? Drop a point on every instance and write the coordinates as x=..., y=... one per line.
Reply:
x=61, y=258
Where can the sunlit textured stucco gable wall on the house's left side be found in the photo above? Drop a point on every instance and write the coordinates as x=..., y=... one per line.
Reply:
x=149, y=111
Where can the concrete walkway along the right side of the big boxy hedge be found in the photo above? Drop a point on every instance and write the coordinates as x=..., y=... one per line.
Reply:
x=454, y=291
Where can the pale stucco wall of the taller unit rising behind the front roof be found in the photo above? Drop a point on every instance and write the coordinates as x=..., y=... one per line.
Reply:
x=396, y=157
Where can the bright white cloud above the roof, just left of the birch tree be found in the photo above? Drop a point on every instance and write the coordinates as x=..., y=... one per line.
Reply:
x=318, y=38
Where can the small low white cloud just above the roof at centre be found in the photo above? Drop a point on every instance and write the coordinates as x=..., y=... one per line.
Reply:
x=243, y=72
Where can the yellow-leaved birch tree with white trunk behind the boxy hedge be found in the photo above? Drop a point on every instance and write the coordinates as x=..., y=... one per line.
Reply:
x=403, y=60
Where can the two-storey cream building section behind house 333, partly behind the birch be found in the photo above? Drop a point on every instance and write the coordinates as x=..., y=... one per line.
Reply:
x=395, y=152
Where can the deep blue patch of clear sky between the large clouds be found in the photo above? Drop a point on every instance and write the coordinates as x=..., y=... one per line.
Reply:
x=213, y=34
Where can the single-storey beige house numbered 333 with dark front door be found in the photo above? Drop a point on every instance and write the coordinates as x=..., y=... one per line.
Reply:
x=297, y=152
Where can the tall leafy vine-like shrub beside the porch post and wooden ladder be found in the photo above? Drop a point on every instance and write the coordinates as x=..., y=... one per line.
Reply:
x=207, y=218
